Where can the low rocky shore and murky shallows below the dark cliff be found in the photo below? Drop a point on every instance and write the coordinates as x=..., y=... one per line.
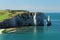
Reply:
x=18, y=29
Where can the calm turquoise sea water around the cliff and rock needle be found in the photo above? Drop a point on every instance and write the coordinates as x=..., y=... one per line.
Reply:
x=43, y=33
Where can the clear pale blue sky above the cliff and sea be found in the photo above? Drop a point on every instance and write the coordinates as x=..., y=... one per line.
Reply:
x=31, y=5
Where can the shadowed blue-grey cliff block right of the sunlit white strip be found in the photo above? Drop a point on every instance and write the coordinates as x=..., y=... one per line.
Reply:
x=40, y=18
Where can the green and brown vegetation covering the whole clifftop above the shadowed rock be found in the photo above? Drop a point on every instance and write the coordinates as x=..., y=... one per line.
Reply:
x=8, y=14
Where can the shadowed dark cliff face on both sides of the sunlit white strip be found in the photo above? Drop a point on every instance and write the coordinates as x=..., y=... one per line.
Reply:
x=25, y=19
